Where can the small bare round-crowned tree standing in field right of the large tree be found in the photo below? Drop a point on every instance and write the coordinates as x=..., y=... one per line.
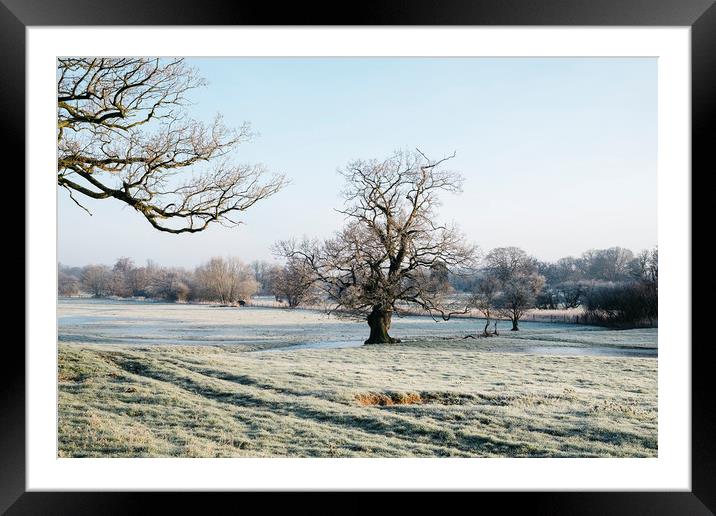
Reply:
x=519, y=281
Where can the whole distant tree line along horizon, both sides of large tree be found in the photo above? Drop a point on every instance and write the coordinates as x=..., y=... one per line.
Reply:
x=613, y=286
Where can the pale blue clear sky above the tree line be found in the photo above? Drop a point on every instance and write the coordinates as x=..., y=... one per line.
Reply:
x=559, y=155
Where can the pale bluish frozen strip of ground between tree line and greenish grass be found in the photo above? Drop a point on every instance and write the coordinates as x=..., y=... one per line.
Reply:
x=134, y=322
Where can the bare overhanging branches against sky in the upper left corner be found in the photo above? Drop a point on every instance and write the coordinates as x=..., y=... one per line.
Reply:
x=123, y=133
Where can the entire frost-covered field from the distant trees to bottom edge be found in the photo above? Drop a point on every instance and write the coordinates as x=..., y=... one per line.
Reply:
x=171, y=380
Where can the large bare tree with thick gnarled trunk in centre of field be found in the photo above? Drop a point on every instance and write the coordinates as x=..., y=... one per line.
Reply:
x=382, y=259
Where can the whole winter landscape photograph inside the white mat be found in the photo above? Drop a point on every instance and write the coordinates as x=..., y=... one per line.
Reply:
x=342, y=257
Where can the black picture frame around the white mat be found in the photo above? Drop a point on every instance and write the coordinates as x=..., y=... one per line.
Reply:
x=700, y=15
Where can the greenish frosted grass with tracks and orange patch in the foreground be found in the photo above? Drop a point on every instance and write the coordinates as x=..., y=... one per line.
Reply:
x=421, y=398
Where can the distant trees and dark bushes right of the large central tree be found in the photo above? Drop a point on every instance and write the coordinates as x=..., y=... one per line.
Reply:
x=613, y=286
